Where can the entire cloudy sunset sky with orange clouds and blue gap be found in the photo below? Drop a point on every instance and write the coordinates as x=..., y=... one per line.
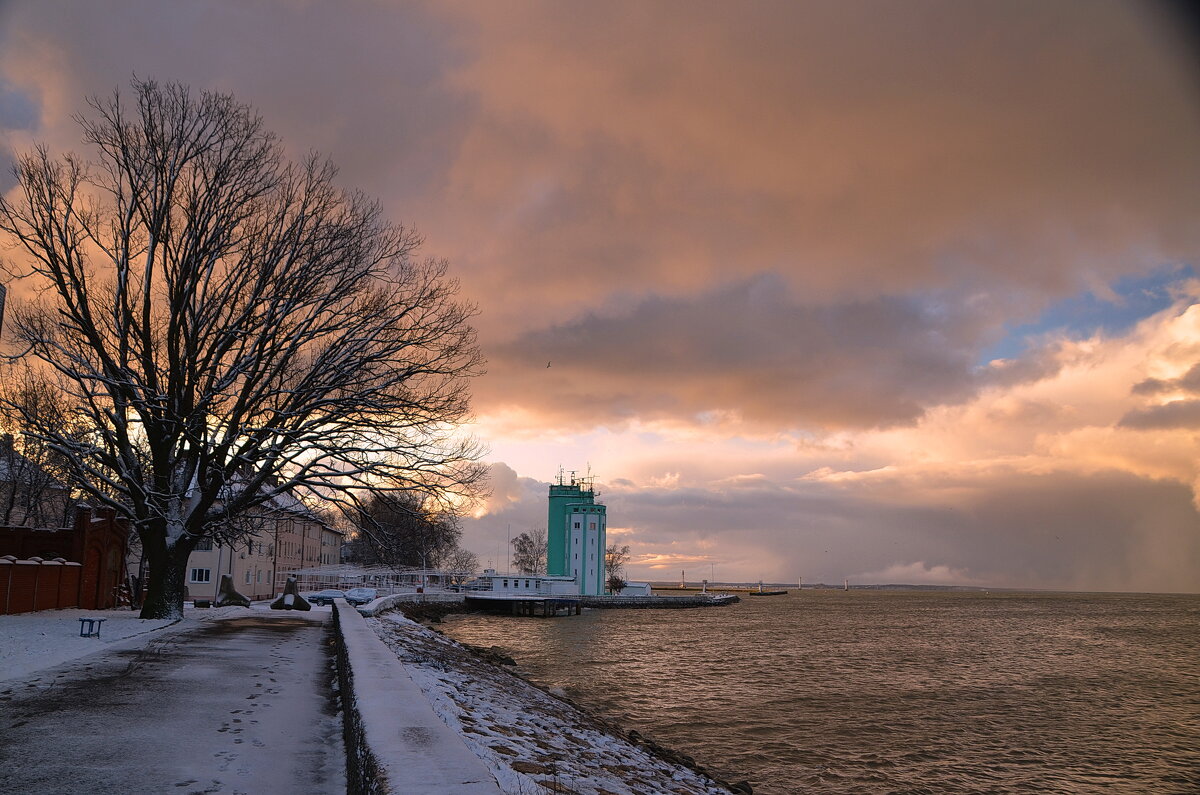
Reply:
x=880, y=291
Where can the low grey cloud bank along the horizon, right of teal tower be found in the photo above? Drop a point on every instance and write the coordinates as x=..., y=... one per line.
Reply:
x=1059, y=530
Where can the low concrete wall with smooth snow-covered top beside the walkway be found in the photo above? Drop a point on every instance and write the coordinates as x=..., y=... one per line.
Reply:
x=395, y=744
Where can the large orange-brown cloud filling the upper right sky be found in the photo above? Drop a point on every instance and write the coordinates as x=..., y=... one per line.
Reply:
x=850, y=150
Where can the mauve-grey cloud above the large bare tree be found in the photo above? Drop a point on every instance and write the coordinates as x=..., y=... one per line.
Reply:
x=361, y=82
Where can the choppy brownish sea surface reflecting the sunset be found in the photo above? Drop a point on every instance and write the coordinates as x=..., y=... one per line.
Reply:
x=885, y=691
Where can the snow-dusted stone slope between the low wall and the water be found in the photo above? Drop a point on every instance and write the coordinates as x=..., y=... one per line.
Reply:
x=531, y=740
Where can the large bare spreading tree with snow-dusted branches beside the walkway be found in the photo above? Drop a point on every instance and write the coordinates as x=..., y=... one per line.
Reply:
x=232, y=325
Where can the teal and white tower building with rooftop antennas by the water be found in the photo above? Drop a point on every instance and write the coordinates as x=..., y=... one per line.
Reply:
x=575, y=534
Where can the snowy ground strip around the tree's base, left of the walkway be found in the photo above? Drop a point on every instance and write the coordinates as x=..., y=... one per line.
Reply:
x=32, y=642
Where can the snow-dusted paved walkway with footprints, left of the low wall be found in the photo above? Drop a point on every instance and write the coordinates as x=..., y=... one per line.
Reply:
x=241, y=706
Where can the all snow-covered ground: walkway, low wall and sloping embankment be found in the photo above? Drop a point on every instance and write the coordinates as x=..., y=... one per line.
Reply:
x=236, y=701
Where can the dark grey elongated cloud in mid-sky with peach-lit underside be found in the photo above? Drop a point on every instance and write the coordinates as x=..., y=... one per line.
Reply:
x=753, y=350
